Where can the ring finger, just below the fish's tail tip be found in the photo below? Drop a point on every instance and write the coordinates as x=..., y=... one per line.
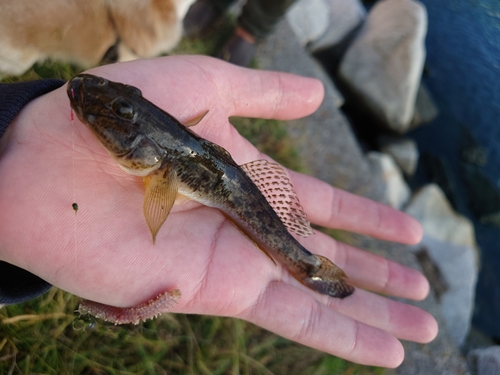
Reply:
x=399, y=319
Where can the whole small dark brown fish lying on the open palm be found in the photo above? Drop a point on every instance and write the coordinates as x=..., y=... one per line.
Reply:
x=257, y=197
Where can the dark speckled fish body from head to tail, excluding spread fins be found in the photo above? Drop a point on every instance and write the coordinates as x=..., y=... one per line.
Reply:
x=148, y=140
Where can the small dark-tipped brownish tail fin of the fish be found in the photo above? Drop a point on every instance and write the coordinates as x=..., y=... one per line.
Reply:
x=329, y=279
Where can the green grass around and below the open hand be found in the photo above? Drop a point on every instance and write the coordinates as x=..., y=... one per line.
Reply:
x=41, y=336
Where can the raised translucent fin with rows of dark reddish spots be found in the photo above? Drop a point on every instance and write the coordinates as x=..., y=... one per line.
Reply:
x=274, y=184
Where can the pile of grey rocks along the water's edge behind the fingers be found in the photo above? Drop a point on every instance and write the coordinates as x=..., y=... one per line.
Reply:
x=381, y=68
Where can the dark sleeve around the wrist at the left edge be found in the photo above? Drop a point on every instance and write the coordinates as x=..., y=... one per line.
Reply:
x=16, y=284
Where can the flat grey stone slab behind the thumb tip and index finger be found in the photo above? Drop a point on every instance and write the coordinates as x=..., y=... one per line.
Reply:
x=324, y=140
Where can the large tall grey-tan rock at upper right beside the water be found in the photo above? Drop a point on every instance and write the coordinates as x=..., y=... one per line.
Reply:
x=384, y=64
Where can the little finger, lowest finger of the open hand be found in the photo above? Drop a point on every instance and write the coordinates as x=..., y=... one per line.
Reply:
x=297, y=316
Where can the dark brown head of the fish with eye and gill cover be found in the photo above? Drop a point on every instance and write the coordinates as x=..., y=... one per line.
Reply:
x=109, y=110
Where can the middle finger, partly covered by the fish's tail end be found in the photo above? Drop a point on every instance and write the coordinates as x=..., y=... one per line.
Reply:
x=370, y=271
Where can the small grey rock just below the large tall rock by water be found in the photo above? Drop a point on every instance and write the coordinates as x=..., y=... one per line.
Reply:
x=403, y=150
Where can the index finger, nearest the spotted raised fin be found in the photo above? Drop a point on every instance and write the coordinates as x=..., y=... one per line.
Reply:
x=335, y=208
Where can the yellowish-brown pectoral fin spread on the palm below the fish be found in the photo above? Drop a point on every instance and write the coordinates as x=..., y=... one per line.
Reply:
x=161, y=191
